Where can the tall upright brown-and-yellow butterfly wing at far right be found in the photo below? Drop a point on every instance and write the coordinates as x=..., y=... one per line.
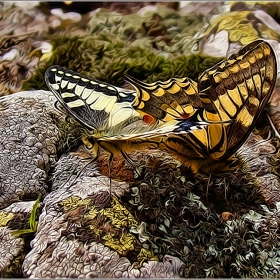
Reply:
x=238, y=89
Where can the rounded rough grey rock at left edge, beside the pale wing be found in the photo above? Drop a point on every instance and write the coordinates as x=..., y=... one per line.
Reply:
x=28, y=145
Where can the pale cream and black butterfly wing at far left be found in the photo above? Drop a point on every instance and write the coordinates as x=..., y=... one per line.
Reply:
x=97, y=105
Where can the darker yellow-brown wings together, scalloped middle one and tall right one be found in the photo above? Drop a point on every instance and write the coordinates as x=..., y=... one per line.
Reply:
x=229, y=98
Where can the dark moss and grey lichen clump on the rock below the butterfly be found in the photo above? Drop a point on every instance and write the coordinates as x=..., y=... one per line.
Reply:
x=178, y=219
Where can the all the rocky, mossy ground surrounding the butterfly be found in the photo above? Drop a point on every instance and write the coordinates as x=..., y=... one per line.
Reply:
x=168, y=224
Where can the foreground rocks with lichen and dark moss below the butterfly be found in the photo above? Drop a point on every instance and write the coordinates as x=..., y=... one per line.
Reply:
x=148, y=228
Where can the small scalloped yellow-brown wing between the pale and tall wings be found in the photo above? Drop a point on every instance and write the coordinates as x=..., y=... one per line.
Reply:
x=168, y=100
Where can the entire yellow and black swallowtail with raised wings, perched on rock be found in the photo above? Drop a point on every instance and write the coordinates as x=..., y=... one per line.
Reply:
x=202, y=124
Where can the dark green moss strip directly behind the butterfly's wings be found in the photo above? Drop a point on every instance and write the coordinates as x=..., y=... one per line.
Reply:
x=107, y=60
